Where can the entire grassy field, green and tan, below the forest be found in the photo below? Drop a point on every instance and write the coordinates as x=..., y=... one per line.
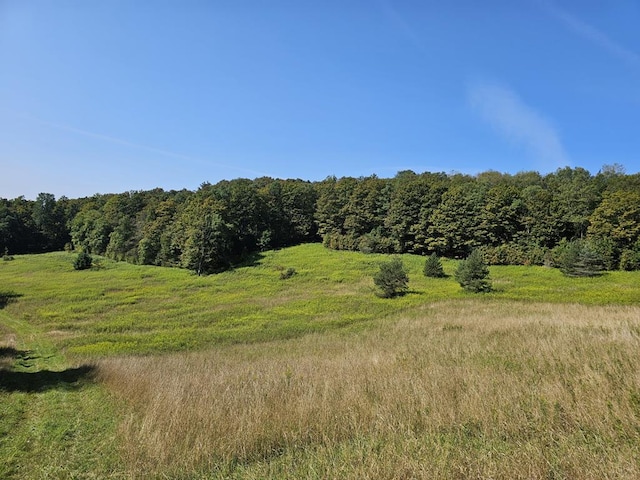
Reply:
x=144, y=372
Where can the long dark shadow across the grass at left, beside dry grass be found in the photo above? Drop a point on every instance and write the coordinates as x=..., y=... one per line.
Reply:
x=44, y=380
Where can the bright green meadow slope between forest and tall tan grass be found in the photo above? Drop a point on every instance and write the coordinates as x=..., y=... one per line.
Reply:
x=129, y=309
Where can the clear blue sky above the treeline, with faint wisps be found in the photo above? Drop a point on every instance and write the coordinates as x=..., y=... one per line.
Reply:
x=110, y=96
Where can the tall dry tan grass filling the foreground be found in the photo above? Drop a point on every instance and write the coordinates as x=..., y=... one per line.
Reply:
x=455, y=390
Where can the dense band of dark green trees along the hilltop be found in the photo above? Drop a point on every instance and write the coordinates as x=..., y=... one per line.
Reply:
x=514, y=219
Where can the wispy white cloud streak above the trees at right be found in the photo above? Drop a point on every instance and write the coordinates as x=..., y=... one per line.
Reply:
x=503, y=109
